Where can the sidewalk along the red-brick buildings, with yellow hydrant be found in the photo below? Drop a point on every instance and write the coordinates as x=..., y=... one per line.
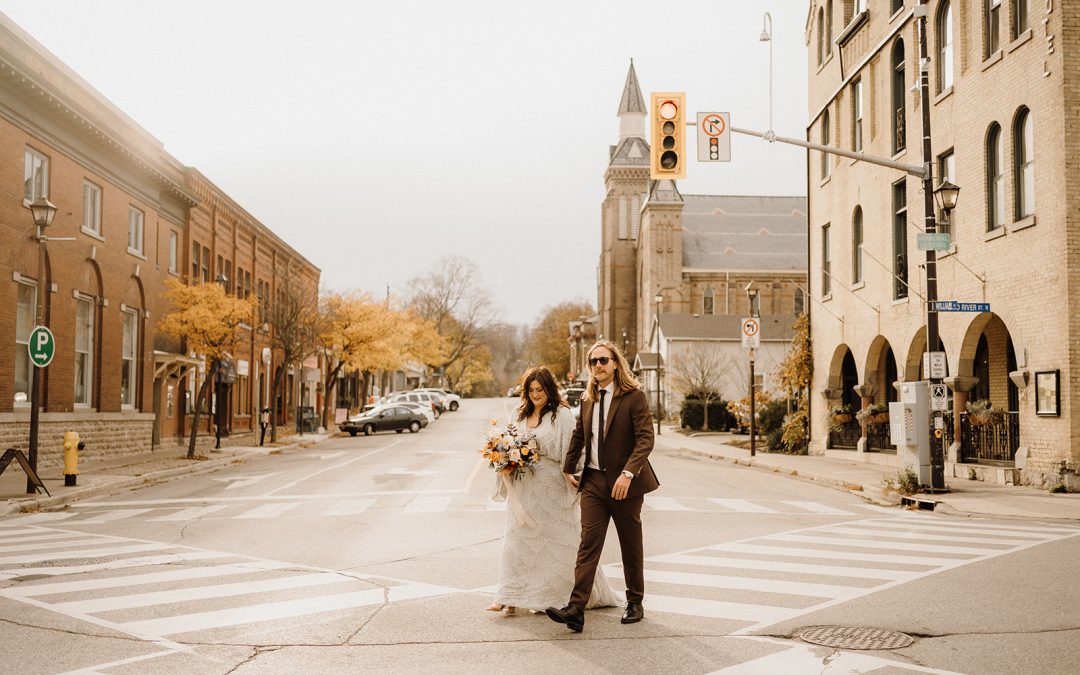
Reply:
x=107, y=476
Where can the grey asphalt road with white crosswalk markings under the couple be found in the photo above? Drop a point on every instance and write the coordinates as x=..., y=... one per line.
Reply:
x=380, y=555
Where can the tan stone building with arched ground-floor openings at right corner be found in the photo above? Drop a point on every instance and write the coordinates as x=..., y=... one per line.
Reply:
x=1004, y=128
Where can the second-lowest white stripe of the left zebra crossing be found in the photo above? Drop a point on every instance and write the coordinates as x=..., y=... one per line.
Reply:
x=198, y=593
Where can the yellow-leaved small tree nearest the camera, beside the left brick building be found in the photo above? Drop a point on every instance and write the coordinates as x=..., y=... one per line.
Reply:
x=209, y=321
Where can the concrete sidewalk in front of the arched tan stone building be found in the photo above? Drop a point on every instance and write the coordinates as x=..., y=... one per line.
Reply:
x=867, y=480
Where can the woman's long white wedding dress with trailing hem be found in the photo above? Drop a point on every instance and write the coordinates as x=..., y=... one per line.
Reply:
x=538, y=558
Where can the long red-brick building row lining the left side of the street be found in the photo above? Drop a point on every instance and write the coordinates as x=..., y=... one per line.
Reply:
x=137, y=217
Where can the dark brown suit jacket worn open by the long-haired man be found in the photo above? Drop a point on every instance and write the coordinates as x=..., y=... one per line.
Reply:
x=628, y=441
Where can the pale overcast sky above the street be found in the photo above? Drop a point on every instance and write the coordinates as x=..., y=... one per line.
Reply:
x=376, y=138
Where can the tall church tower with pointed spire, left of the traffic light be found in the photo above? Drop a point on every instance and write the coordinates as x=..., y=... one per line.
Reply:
x=627, y=184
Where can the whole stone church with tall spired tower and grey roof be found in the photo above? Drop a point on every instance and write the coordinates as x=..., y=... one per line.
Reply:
x=699, y=252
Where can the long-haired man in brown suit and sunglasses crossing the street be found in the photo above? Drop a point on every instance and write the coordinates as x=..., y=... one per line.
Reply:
x=615, y=430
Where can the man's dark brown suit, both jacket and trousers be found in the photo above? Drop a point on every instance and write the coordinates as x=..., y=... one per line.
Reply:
x=628, y=441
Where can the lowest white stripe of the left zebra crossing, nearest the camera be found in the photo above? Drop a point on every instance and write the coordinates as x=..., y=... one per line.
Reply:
x=288, y=610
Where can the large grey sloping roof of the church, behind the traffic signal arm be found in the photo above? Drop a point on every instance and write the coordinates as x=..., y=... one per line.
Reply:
x=722, y=233
